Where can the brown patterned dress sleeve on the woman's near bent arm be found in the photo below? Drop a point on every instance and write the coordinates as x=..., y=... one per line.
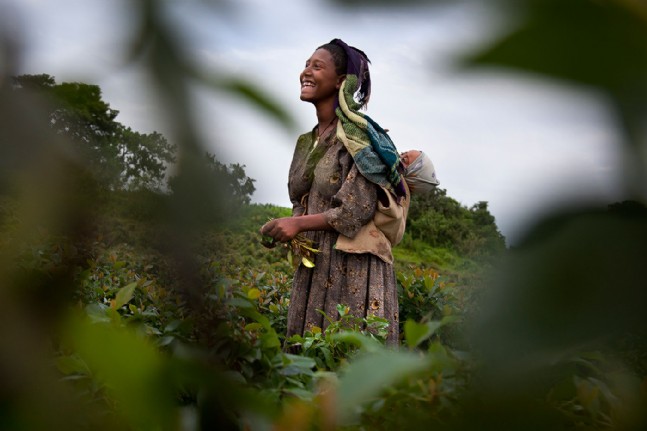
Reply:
x=353, y=205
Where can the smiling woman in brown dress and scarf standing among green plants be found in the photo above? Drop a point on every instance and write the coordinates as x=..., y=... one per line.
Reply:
x=334, y=182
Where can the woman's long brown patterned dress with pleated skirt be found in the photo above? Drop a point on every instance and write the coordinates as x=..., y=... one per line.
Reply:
x=326, y=180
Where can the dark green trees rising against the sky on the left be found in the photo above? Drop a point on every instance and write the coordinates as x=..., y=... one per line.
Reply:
x=117, y=156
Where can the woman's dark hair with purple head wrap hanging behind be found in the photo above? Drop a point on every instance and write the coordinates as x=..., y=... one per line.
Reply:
x=352, y=61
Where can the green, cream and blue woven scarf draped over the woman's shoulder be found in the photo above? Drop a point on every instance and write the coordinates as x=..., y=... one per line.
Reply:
x=370, y=146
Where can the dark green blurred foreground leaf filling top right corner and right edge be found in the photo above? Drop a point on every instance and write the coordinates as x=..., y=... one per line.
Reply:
x=601, y=45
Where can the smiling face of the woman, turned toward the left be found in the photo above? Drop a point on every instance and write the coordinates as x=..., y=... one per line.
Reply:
x=319, y=80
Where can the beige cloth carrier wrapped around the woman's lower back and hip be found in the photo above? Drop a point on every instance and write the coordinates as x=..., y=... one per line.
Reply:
x=380, y=234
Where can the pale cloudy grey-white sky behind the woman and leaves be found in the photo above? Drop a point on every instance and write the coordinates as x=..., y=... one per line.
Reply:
x=521, y=143
